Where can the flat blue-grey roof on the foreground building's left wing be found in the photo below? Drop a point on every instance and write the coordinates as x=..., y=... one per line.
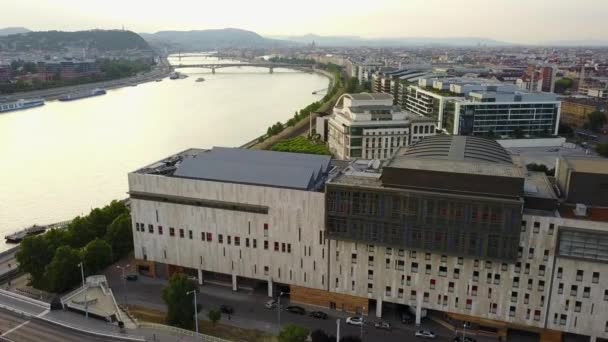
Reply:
x=256, y=167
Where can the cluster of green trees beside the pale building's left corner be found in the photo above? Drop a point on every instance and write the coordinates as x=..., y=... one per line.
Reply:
x=97, y=240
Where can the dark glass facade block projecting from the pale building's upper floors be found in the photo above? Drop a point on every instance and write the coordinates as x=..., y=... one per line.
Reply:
x=469, y=227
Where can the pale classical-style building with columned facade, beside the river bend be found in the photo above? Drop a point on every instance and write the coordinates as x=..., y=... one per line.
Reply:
x=369, y=126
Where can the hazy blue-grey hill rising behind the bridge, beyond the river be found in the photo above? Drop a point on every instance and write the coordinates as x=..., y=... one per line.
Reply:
x=209, y=39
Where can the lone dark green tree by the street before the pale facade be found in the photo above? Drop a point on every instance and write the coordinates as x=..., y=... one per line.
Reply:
x=180, y=306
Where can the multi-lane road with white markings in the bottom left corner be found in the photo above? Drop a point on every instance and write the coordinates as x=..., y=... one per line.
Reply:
x=19, y=329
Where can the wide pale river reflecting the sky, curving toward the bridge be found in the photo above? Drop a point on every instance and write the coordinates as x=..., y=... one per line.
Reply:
x=64, y=158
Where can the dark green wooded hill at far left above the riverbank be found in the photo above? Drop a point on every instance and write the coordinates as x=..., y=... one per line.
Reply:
x=103, y=40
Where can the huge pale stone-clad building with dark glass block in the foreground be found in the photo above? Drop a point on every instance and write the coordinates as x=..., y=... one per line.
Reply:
x=452, y=225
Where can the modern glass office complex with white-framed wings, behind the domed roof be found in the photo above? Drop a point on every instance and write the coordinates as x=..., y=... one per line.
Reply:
x=468, y=106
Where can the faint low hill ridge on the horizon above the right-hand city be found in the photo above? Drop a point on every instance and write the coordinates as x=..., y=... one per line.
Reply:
x=391, y=42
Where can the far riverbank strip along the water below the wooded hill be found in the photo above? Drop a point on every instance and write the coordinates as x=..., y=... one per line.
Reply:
x=160, y=71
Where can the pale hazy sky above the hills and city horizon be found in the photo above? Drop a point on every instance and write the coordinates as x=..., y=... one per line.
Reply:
x=521, y=21
